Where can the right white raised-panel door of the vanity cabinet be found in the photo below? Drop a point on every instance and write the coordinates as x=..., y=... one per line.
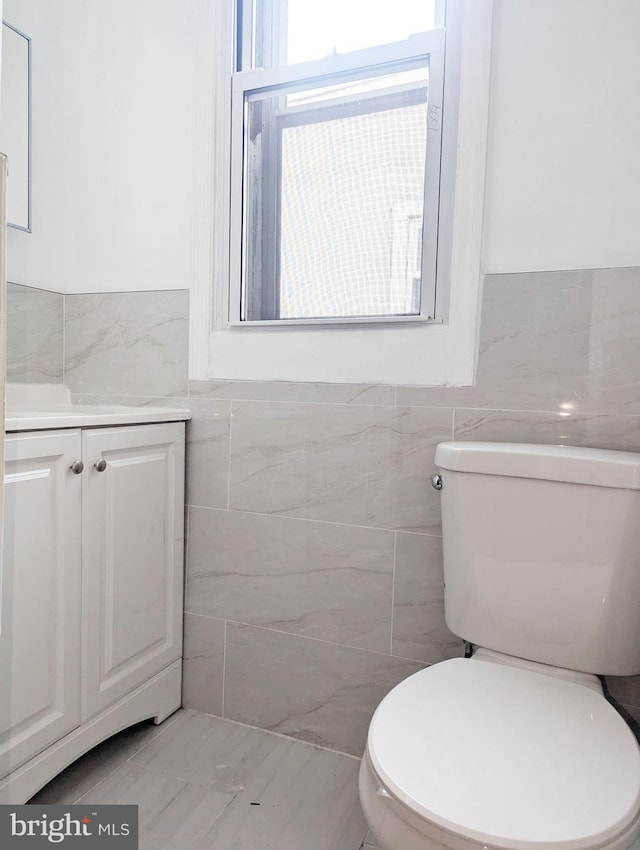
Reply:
x=133, y=518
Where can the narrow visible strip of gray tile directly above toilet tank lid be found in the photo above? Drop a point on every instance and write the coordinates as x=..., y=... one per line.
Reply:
x=600, y=431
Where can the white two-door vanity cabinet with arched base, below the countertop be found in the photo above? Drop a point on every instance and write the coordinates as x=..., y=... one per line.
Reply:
x=91, y=590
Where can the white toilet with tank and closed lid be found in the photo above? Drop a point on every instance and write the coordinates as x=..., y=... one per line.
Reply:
x=517, y=747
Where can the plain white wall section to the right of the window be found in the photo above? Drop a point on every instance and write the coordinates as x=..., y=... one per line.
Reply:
x=564, y=166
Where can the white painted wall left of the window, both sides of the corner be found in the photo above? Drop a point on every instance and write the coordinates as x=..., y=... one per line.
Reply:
x=113, y=145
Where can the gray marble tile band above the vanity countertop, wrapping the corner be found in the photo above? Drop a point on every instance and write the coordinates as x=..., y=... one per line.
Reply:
x=106, y=343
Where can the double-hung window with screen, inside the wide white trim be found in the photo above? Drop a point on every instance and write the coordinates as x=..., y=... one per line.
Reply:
x=336, y=159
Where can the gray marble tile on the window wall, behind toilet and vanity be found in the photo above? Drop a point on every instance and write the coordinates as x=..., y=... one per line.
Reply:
x=314, y=561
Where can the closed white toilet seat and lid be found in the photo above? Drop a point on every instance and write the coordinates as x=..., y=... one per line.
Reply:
x=507, y=757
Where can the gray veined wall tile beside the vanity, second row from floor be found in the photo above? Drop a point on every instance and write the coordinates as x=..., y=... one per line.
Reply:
x=322, y=580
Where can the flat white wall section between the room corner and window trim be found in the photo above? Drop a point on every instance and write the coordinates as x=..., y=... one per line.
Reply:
x=129, y=70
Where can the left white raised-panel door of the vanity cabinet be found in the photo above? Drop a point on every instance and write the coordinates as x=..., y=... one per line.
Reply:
x=40, y=595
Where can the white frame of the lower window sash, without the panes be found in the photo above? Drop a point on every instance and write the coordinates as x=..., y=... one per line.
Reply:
x=427, y=47
